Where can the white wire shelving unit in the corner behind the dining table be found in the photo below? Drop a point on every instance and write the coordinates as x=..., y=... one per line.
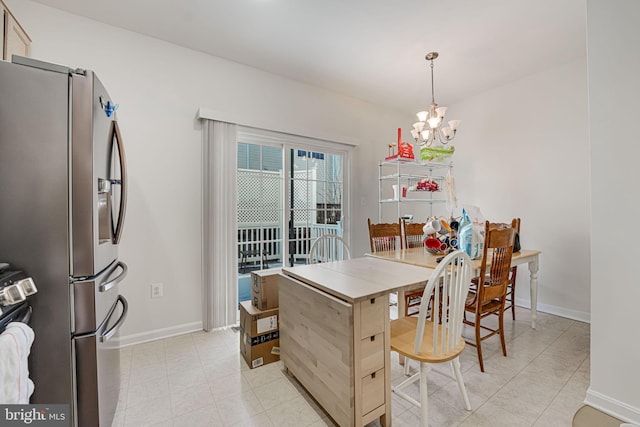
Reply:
x=409, y=174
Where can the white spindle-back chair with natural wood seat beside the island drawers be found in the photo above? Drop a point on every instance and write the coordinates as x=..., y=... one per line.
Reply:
x=439, y=338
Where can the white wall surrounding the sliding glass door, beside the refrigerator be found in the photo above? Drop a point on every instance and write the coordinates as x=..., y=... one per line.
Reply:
x=159, y=88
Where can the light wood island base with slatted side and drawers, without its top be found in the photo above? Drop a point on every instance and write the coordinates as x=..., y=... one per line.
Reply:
x=337, y=351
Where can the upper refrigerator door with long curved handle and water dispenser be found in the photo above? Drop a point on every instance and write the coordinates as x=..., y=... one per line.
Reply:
x=98, y=171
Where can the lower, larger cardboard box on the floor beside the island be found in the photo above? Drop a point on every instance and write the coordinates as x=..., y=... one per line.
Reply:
x=259, y=335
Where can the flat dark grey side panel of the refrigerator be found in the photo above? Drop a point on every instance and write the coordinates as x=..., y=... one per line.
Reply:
x=34, y=220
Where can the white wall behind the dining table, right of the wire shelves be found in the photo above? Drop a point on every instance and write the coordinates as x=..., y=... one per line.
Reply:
x=522, y=151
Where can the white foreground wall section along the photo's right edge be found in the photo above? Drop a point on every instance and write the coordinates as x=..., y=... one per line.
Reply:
x=614, y=90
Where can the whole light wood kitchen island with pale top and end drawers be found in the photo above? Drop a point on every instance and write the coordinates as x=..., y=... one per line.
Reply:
x=334, y=333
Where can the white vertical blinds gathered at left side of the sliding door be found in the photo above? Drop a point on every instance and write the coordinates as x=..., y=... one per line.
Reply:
x=219, y=241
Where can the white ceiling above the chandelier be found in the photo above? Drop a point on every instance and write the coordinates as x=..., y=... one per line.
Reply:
x=373, y=50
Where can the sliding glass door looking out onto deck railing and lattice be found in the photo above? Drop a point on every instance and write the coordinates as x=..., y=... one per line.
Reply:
x=290, y=192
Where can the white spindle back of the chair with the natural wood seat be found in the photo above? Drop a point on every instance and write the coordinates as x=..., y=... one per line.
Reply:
x=449, y=284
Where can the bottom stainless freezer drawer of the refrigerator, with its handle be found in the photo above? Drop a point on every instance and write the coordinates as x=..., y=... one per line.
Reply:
x=97, y=361
